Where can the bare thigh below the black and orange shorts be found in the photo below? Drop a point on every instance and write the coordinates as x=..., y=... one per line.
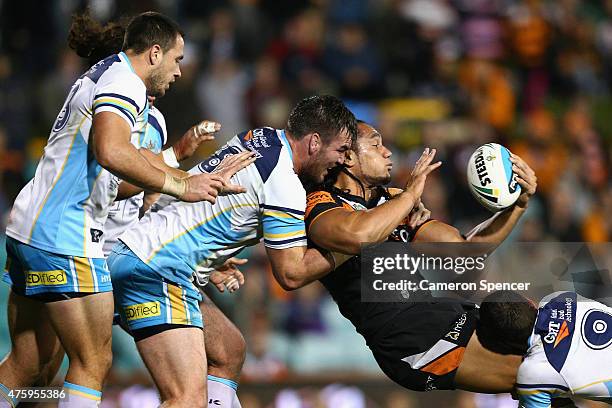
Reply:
x=483, y=371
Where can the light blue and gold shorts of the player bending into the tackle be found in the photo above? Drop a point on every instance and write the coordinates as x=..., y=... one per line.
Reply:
x=145, y=299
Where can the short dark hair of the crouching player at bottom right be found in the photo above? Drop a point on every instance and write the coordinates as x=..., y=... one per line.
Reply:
x=506, y=322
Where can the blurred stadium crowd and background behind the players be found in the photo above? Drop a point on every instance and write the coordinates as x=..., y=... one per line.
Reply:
x=534, y=75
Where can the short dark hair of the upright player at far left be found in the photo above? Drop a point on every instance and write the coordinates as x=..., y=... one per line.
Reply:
x=150, y=28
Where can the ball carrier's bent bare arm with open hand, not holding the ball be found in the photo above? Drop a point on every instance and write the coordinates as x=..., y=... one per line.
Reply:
x=344, y=231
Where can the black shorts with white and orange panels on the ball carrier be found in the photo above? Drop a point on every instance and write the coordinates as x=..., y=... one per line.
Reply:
x=423, y=346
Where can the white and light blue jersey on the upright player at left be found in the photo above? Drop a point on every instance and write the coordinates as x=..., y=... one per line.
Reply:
x=64, y=207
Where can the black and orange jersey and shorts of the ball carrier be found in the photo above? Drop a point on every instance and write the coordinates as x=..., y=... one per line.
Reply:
x=419, y=345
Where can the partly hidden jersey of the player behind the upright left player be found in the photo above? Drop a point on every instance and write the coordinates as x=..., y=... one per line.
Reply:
x=123, y=214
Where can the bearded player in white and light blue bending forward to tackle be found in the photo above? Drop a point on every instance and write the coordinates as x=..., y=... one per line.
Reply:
x=154, y=265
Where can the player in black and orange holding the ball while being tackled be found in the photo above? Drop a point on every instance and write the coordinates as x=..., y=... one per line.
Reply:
x=411, y=341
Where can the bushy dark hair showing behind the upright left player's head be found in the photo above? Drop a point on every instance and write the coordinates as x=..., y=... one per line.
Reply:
x=92, y=40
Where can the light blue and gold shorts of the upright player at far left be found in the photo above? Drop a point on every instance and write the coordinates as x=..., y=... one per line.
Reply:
x=32, y=271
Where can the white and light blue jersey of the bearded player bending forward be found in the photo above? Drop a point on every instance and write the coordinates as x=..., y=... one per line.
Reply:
x=182, y=239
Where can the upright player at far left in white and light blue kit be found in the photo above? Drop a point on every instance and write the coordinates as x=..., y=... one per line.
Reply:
x=61, y=290
